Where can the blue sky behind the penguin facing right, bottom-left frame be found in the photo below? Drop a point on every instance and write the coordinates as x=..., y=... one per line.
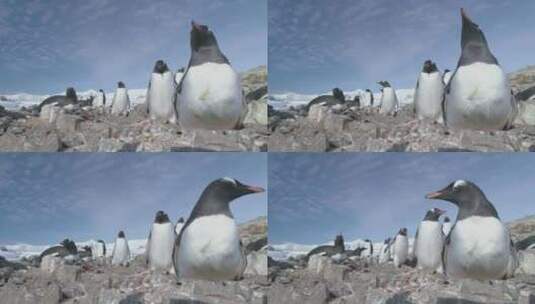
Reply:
x=48, y=197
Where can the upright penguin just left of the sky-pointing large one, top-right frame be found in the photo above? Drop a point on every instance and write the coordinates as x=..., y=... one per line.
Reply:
x=429, y=93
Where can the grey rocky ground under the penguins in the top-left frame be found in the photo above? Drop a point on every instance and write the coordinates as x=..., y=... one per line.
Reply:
x=75, y=128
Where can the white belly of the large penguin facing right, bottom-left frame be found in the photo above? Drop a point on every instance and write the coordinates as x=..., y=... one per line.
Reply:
x=210, y=249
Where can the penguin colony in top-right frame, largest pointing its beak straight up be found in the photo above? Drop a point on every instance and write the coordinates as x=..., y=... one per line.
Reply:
x=476, y=95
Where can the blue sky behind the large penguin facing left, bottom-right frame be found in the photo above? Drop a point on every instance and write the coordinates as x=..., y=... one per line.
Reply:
x=314, y=196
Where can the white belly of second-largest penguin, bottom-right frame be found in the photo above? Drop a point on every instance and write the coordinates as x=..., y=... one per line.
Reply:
x=430, y=243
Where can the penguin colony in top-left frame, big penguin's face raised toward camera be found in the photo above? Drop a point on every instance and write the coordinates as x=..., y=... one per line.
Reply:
x=205, y=95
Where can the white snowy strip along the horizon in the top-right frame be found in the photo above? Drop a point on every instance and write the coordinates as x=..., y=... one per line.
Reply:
x=286, y=100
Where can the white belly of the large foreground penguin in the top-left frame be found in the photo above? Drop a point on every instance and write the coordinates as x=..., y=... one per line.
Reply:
x=211, y=97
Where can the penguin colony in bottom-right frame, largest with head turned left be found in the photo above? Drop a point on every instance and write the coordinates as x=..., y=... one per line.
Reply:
x=477, y=245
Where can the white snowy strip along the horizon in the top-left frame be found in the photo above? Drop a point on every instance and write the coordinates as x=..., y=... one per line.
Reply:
x=16, y=101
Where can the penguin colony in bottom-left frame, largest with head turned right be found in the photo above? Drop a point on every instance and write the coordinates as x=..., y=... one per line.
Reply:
x=206, y=246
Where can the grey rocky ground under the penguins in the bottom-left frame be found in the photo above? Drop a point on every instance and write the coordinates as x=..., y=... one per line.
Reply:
x=96, y=282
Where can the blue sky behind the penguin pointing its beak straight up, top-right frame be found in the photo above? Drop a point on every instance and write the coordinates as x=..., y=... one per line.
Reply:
x=315, y=45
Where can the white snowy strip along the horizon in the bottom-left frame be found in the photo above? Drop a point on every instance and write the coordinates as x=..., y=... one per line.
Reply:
x=19, y=251
